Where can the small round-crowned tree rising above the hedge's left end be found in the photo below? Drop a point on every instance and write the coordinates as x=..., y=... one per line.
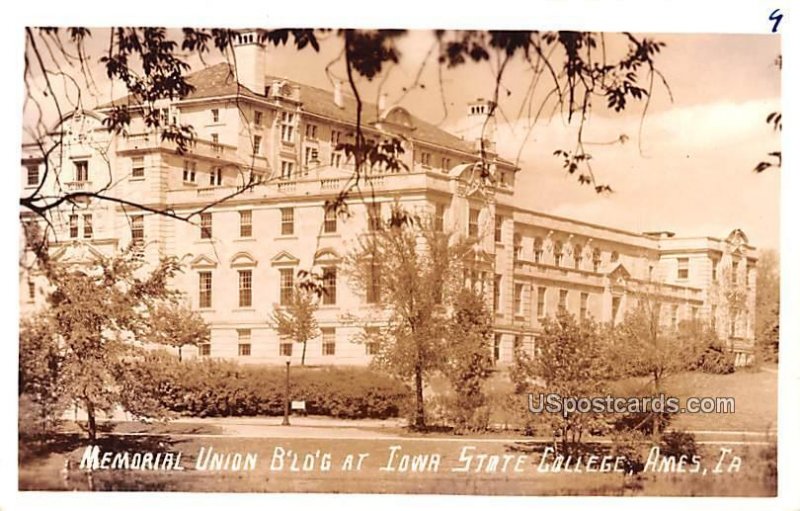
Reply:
x=173, y=324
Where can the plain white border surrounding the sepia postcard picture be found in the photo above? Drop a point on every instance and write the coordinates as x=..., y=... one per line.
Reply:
x=613, y=15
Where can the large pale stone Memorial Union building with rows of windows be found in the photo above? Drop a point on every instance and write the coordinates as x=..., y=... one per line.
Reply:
x=244, y=255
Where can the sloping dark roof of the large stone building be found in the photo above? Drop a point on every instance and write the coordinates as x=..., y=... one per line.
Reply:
x=219, y=80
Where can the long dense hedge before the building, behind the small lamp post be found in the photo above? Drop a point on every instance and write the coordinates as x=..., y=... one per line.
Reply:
x=213, y=388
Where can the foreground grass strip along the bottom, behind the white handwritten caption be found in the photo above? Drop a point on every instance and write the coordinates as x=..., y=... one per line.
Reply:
x=43, y=471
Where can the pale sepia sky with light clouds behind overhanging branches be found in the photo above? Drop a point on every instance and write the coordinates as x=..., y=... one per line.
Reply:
x=686, y=165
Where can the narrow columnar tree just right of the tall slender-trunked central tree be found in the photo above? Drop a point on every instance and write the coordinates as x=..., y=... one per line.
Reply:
x=469, y=363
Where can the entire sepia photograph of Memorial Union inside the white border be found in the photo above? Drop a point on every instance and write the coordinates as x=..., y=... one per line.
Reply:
x=475, y=261
